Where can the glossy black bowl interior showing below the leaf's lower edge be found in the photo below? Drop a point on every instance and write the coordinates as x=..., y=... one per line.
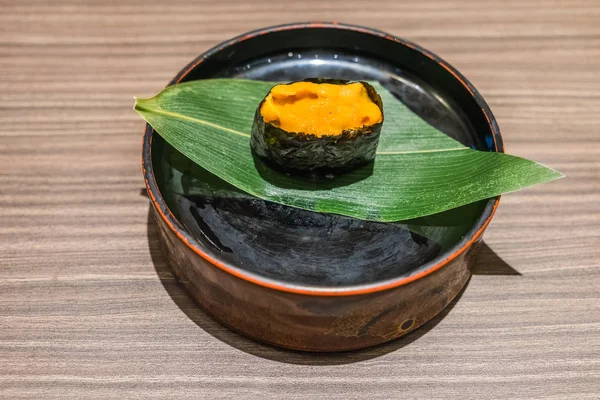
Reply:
x=302, y=247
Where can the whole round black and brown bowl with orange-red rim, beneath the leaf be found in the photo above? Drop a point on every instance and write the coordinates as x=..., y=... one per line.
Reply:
x=312, y=281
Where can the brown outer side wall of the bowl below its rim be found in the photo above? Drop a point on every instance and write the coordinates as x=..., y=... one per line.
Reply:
x=313, y=323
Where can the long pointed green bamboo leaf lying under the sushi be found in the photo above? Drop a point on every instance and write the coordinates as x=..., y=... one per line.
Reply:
x=418, y=170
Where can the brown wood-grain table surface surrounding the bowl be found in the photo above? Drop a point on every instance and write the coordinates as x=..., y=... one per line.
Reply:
x=88, y=307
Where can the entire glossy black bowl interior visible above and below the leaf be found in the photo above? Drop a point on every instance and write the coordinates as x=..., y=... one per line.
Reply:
x=303, y=248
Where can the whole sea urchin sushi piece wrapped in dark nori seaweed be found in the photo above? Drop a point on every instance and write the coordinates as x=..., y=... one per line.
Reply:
x=318, y=126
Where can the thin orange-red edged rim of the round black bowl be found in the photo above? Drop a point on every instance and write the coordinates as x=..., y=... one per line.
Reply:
x=428, y=268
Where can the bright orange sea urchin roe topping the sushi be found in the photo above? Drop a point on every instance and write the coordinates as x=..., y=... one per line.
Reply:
x=320, y=109
